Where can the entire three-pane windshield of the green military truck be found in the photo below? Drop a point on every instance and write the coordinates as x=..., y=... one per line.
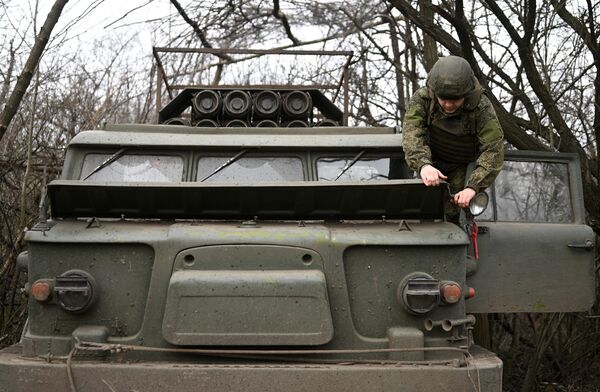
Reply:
x=242, y=166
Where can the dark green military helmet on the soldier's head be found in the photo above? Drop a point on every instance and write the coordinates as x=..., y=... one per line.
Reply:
x=451, y=78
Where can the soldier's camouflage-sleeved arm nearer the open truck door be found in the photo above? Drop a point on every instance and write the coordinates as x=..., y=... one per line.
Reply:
x=491, y=141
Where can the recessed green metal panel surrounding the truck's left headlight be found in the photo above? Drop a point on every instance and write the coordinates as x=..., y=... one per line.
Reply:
x=122, y=273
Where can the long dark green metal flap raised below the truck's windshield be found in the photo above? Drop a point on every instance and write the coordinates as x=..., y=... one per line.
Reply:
x=396, y=199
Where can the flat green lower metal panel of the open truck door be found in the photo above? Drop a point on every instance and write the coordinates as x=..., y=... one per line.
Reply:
x=529, y=267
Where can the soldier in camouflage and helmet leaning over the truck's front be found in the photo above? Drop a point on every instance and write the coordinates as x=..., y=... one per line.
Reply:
x=448, y=124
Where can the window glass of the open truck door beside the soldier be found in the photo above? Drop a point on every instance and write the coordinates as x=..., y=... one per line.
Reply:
x=533, y=192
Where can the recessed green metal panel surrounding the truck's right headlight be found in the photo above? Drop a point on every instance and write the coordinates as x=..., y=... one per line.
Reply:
x=373, y=274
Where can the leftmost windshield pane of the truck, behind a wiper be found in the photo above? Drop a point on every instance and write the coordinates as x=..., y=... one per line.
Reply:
x=134, y=168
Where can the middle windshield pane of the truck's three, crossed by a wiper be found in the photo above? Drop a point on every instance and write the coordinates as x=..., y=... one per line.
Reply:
x=251, y=169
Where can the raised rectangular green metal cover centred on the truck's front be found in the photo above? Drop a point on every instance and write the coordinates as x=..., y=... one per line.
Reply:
x=286, y=307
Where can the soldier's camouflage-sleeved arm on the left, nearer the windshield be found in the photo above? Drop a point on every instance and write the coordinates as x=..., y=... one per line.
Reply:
x=416, y=151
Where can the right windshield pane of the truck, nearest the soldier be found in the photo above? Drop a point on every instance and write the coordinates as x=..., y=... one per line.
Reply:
x=367, y=169
